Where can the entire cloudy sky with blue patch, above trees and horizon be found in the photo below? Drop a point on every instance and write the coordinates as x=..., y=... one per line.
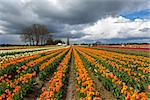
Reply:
x=113, y=21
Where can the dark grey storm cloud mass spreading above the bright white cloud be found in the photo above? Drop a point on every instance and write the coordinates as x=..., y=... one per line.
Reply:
x=57, y=14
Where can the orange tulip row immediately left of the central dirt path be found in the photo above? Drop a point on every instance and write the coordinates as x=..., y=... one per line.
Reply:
x=54, y=89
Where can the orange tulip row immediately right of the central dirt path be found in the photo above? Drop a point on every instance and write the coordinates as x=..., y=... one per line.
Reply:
x=84, y=84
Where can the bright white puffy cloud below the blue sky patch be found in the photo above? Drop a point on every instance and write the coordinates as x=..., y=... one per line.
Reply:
x=117, y=27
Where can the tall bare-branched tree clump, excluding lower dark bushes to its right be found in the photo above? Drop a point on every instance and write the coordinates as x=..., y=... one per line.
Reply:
x=35, y=34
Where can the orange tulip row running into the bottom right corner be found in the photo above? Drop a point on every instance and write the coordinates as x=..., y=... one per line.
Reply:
x=114, y=83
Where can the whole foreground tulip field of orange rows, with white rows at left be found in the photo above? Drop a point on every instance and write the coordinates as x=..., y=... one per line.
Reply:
x=73, y=73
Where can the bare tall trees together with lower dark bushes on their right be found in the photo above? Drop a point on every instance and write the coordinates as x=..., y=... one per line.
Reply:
x=38, y=34
